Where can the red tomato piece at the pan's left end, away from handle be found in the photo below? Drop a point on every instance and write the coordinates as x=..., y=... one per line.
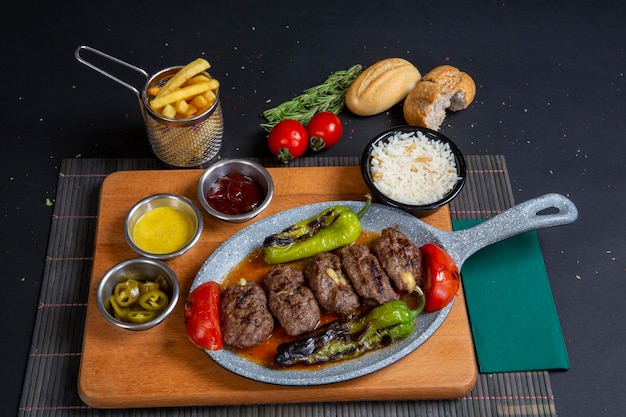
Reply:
x=202, y=316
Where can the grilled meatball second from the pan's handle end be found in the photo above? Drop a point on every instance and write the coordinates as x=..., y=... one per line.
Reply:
x=367, y=276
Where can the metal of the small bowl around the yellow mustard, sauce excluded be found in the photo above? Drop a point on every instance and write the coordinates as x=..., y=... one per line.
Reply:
x=163, y=200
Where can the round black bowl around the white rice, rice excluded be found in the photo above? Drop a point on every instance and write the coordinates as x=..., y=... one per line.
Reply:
x=419, y=210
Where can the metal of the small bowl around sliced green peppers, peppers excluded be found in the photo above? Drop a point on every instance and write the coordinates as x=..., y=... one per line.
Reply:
x=140, y=269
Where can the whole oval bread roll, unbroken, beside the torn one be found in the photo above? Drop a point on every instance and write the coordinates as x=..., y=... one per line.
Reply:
x=381, y=86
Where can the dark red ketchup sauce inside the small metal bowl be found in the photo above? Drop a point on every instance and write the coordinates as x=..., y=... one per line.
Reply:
x=234, y=194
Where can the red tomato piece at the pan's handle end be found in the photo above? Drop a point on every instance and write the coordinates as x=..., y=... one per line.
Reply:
x=442, y=277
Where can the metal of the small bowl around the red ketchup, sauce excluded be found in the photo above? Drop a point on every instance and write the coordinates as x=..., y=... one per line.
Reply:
x=258, y=173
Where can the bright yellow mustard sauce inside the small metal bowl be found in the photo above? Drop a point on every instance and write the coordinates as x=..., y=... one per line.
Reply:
x=163, y=230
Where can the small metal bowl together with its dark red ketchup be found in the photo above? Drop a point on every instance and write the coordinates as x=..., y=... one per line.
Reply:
x=235, y=190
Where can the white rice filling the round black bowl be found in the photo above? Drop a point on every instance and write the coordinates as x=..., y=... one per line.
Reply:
x=413, y=169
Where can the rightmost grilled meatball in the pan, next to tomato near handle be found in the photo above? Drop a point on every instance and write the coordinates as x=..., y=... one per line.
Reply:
x=400, y=258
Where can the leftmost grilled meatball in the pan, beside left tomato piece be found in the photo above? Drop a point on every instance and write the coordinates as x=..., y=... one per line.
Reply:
x=246, y=321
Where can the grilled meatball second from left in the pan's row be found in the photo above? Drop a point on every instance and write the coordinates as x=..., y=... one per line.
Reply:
x=291, y=302
